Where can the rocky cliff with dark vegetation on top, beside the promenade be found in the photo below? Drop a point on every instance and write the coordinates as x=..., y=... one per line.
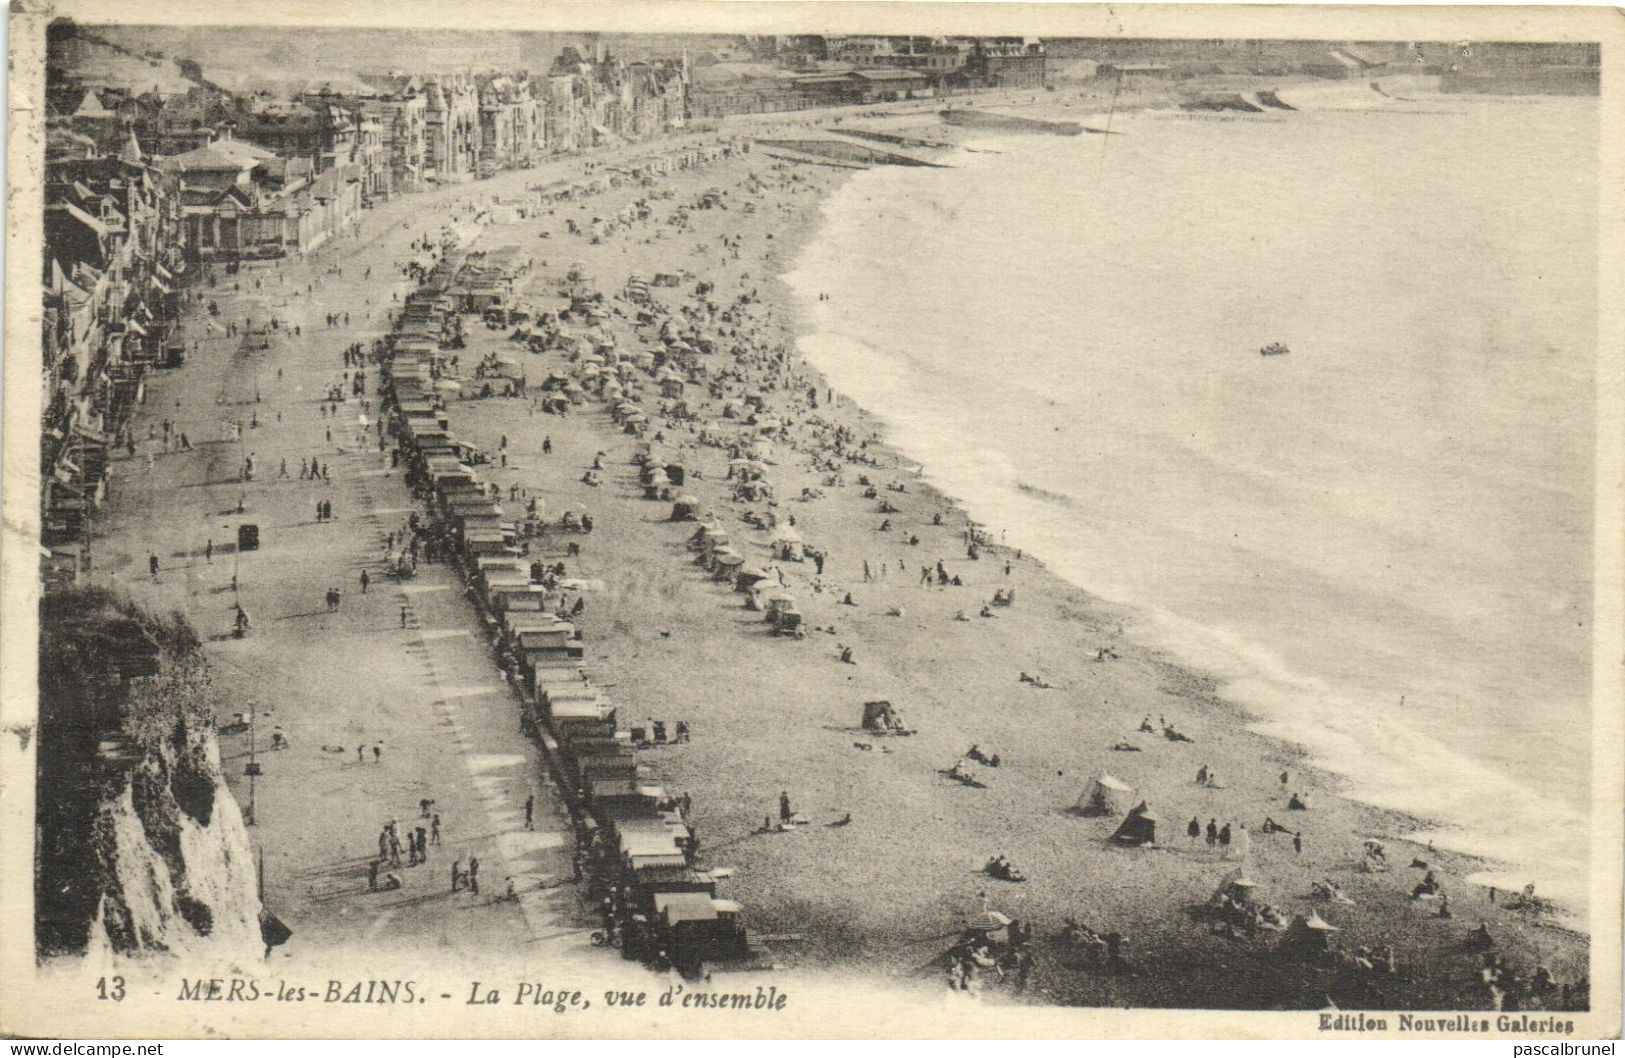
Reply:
x=137, y=851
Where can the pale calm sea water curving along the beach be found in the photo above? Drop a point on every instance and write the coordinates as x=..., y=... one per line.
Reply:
x=1379, y=542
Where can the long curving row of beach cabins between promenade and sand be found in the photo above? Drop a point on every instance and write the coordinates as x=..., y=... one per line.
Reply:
x=636, y=848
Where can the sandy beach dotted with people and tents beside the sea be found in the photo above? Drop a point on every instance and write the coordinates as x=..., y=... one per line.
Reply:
x=890, y=862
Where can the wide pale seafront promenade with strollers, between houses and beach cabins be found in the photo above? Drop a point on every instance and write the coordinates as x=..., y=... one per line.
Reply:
x=399, y=674
